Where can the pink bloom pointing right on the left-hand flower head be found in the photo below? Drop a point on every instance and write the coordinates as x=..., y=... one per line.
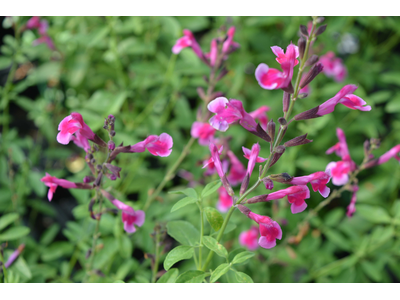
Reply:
x=157, y=145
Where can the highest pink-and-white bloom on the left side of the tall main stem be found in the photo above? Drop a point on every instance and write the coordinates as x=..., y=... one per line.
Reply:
x=271, y=79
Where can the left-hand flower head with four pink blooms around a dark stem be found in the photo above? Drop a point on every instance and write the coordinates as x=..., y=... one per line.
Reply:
x=74, y=128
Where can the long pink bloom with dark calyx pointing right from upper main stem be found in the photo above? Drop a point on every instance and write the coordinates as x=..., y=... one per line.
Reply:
x=344, y=96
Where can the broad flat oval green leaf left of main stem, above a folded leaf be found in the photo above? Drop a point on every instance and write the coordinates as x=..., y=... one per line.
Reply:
x=184, y=232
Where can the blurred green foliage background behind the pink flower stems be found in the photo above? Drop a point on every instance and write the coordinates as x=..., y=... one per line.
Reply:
x=124, y=66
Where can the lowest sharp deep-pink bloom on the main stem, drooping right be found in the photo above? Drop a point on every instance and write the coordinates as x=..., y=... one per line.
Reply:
x=269, y=230
